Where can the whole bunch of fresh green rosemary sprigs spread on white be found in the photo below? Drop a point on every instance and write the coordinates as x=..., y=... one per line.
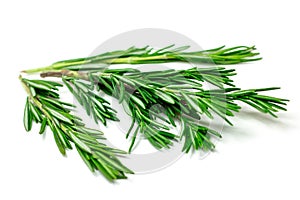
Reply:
x=155, y=100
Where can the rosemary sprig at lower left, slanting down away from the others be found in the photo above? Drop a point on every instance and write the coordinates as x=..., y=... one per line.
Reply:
x=43, y=106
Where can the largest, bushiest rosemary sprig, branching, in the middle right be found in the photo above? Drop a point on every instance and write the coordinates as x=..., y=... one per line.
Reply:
x=180, y=96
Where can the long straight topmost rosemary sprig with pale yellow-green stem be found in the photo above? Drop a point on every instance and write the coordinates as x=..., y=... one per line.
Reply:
x=134, y=55
